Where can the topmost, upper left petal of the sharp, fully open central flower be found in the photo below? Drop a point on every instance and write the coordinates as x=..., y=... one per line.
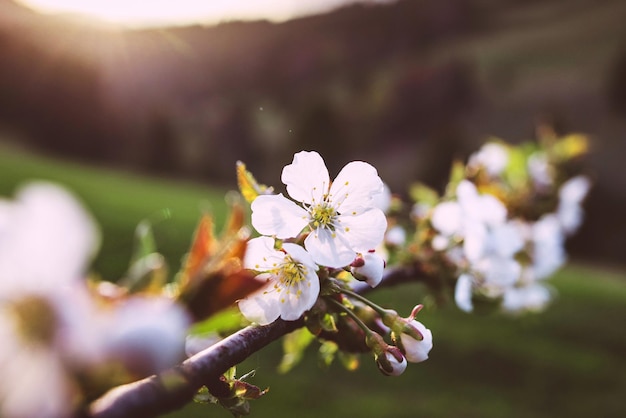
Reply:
x=306, y=178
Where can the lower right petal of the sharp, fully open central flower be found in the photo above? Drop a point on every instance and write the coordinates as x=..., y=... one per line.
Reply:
x=364, y=231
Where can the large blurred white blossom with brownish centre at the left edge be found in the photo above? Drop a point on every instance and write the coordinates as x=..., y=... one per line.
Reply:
x=46, y=241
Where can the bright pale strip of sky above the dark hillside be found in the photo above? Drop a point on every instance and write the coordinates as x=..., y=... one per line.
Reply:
x=147, y=13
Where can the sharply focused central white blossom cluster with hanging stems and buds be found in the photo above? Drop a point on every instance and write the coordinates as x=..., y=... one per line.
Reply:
x=308, y=242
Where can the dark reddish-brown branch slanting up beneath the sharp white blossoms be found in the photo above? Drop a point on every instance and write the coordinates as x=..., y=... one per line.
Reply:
x=176, y=387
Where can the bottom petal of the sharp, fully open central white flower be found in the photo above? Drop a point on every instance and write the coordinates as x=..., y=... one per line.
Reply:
x=328, y=250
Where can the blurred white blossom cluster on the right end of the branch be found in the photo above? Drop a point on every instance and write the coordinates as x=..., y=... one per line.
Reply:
x=502, y=254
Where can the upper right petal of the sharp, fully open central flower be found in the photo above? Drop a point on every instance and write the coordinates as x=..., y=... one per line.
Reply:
x=355, y=187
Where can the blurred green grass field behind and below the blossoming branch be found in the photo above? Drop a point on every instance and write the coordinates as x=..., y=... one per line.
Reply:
x=566, y=362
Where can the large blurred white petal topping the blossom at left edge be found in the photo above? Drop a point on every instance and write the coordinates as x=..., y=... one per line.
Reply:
x=47, y=240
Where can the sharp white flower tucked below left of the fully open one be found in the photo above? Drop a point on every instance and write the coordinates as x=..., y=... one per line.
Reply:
x=292, y=283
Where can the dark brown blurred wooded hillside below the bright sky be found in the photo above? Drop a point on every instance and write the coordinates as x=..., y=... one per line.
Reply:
x=393, y=84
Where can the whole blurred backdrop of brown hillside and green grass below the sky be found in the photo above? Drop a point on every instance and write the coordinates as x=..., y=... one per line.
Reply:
x=148, y=124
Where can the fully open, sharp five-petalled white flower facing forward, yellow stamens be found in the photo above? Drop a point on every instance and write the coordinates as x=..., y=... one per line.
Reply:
x=342, y=216
